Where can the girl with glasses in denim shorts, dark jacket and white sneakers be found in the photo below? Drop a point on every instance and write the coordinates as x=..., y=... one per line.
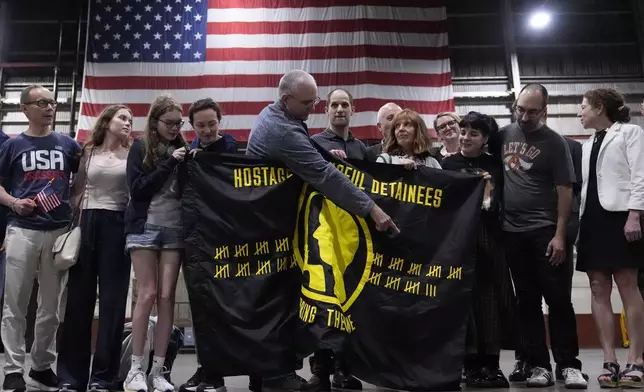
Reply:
x=154, y=236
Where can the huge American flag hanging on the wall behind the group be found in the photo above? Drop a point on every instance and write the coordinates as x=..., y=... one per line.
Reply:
x=235, y=51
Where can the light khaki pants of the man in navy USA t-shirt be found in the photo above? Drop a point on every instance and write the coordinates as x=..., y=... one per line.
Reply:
x=28, y=254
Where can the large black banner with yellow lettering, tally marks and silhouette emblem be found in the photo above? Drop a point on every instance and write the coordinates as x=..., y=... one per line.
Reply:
x=275, y=270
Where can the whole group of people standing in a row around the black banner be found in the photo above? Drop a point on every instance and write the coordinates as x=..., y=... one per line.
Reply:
x=545, y=194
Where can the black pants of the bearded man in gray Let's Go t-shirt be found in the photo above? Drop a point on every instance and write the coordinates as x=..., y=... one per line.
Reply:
x=534, y=277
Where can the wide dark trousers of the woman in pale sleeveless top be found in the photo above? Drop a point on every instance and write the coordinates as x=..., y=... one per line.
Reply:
x=102, y=257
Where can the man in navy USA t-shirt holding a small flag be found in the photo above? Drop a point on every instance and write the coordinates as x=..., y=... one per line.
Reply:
x=28, y=162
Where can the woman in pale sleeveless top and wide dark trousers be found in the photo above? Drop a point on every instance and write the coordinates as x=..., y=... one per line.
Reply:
x=101, y=193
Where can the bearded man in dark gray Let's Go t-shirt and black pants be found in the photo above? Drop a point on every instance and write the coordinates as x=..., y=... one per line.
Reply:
x=537, y=197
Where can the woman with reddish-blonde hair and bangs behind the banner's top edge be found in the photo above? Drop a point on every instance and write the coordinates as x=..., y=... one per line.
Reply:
x=409, y=144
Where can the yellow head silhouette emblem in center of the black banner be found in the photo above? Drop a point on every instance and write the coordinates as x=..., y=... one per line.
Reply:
x=326, y=245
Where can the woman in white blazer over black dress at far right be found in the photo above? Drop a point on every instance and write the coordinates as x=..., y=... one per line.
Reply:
x=610, y=241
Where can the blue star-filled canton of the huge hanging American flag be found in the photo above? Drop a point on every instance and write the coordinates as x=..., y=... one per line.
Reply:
x=159, y=31
